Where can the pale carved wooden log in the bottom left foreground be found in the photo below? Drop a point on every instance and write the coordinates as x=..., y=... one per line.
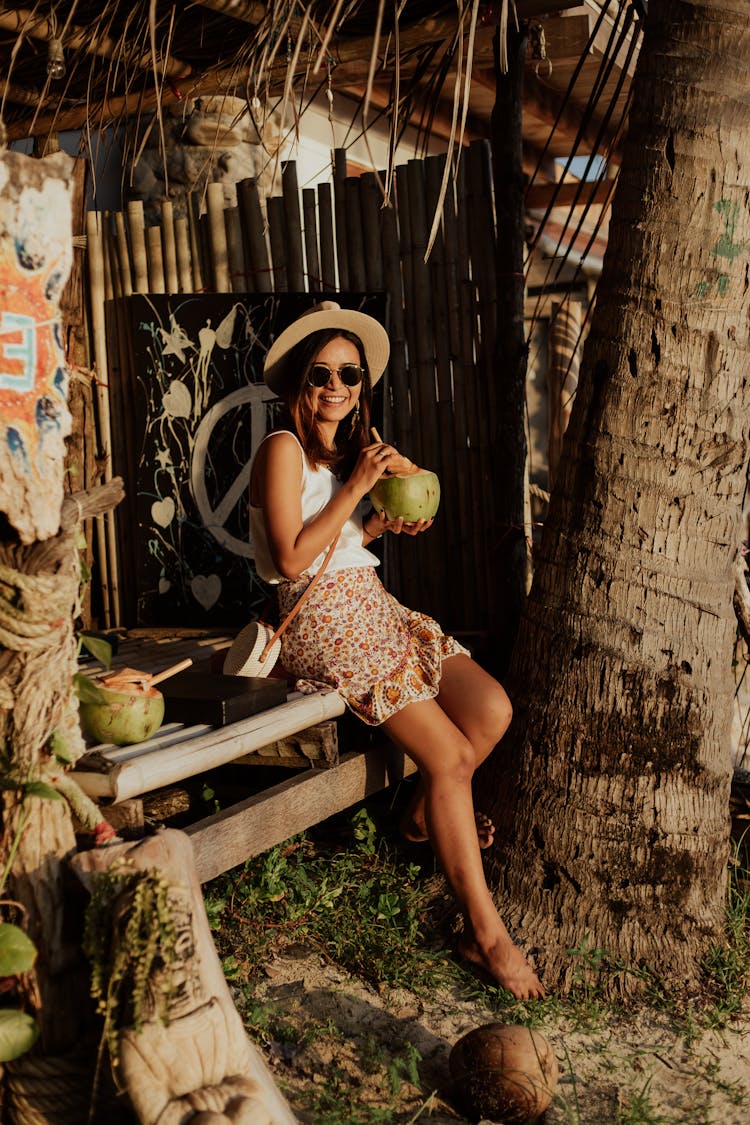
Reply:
x=202, y=1060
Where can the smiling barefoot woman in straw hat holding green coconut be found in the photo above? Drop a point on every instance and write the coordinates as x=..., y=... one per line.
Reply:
x=393, y=668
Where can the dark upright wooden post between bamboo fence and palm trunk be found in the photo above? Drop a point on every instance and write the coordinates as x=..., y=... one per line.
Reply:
x=509, y=376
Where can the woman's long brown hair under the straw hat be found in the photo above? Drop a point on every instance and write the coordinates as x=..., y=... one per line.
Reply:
x=354, y=433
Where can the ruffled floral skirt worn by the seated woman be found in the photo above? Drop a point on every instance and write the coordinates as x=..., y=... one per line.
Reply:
x=353, y=635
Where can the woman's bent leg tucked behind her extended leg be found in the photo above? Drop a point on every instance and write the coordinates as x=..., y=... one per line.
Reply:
x=482, y=710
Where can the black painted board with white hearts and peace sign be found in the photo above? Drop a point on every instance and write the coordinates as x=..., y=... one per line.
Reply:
x=185, y=443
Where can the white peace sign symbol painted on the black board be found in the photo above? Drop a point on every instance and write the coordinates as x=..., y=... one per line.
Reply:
x=214, y=519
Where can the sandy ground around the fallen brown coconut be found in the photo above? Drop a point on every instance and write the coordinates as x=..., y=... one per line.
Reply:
x=351, y=1038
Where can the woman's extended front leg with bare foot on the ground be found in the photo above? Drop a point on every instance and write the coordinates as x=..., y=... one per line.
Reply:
x=447, y=759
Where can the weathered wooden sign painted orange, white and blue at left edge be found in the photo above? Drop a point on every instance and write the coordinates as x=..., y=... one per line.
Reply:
x=35, y=262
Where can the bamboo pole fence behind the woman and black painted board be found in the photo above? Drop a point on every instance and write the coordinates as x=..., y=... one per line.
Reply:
x=440, y=398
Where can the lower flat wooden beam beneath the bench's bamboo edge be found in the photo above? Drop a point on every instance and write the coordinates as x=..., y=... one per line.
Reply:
x=252, y=826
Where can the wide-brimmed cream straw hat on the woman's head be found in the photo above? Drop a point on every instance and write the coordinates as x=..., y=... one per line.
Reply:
x=328, y=314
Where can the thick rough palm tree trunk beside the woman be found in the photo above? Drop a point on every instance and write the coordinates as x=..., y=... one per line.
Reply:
x=622, y=678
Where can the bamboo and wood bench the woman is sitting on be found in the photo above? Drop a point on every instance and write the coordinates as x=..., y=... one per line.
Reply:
x=115, y=775
